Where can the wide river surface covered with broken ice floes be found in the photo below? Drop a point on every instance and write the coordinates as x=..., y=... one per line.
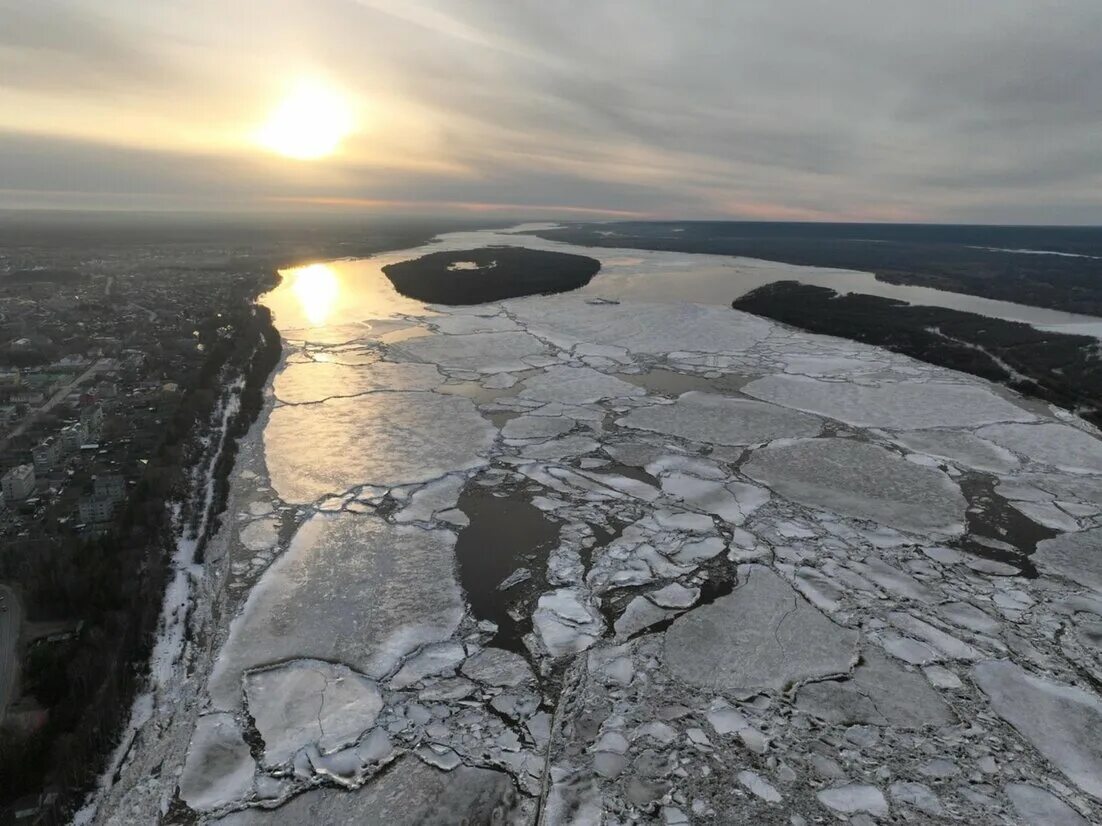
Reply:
x=563, y=560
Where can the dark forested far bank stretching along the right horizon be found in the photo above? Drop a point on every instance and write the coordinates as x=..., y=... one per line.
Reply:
x=961, y=259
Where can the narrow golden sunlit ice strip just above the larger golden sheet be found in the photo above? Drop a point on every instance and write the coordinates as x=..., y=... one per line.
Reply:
x=316, y=382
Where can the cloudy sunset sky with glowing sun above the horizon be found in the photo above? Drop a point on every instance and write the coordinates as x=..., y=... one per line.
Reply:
x=935, y=111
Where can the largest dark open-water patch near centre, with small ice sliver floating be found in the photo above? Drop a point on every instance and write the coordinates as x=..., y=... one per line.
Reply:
x=506, y=534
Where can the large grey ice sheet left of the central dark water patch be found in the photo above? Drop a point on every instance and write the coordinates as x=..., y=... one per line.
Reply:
x=351, y=589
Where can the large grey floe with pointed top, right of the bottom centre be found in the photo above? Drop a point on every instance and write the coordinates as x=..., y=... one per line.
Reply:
x=763, y=637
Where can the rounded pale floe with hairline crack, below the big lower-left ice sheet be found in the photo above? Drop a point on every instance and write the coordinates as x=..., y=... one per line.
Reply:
x=310, y=703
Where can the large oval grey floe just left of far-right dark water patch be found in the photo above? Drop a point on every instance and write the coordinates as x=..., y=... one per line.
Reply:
x=862, y=481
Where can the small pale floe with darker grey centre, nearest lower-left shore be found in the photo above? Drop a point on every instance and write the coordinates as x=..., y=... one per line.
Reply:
x=220, y=769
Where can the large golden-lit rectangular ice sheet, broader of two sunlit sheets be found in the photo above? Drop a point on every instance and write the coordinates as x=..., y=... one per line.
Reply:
x=384, y=439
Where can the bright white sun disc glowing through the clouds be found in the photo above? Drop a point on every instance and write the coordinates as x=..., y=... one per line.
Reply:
x=309, y=124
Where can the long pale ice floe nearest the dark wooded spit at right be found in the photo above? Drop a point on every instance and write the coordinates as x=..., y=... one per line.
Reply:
x=898, y=406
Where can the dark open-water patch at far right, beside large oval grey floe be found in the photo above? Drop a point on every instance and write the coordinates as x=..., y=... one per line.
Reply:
x=992, y=517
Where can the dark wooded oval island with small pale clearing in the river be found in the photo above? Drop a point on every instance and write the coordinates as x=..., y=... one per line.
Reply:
x=491, y=274
